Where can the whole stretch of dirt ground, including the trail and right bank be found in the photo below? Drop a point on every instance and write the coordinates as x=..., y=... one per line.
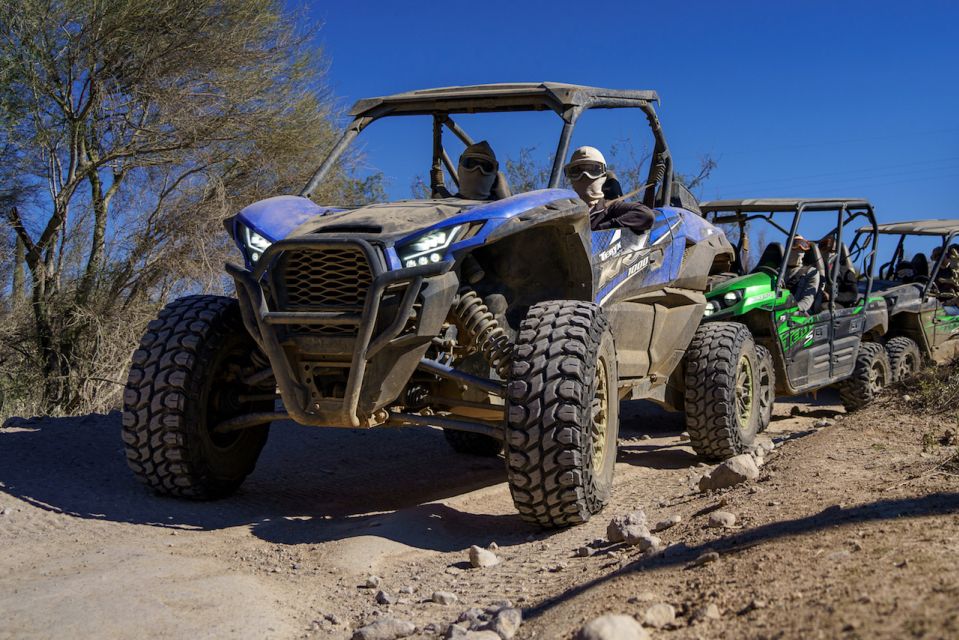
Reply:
x=89, y=553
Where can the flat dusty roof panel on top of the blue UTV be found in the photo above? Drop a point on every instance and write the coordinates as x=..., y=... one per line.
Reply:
x=520, y=96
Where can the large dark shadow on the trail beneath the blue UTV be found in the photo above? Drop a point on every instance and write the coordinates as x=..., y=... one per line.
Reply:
x=310, y=485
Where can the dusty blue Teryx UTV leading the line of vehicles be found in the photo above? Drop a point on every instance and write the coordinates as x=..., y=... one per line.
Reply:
x=507, y=323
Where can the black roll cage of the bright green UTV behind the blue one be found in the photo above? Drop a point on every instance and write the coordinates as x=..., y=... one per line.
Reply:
x=764, y=210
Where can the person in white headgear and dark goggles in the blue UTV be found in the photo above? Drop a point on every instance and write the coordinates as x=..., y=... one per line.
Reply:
x=587, y=172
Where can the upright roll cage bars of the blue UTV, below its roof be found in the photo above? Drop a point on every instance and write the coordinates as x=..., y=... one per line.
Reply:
x=660, y=168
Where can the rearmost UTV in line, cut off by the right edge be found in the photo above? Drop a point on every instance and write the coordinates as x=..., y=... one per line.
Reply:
x=920, y=294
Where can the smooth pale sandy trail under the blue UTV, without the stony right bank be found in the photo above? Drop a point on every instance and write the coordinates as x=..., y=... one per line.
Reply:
x=89, y=553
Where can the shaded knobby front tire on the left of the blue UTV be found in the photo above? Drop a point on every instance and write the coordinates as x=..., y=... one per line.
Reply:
x=184, y=380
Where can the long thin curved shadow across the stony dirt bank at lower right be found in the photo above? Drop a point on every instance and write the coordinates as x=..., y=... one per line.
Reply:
x=683, y=556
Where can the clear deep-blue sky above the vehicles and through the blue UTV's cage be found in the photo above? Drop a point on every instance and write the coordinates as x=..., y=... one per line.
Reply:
x=791, y=98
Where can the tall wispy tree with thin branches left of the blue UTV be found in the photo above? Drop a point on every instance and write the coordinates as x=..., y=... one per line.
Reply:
x=130, y=130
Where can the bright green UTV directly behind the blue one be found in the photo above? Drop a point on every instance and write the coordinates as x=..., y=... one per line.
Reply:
x=836, y=341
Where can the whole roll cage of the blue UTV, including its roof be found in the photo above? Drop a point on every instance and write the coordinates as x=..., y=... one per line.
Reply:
x=566, y=100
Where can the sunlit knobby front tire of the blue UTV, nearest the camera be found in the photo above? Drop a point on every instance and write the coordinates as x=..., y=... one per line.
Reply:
x=562, y=414
